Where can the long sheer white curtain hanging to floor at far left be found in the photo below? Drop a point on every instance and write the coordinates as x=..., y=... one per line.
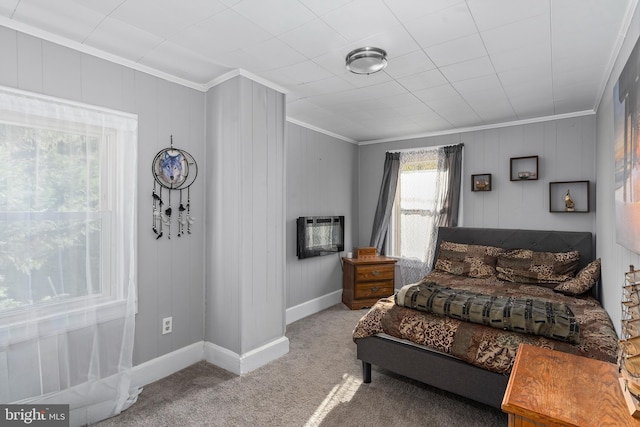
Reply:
x=67, y=254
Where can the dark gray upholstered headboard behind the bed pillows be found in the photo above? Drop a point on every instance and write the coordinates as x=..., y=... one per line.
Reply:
x=537, y=240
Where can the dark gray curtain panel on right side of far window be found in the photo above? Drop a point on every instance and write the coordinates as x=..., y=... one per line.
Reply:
x=453, y=163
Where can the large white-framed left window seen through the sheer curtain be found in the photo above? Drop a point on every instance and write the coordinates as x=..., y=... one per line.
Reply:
x=63, y=204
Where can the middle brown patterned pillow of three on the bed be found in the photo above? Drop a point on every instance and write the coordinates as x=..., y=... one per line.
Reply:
x=543, y=268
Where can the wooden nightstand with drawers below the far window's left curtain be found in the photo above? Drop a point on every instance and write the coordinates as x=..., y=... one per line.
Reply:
x=367, y=279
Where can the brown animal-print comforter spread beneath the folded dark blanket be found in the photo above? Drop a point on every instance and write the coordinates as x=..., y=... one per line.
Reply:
x=483, y=346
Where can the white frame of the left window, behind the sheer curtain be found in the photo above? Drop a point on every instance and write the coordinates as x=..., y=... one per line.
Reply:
x=112, y=298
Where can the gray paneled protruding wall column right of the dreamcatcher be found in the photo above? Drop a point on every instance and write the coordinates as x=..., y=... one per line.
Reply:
x=245, y=267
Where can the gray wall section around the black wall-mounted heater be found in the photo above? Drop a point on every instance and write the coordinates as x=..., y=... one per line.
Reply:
x=322, y=176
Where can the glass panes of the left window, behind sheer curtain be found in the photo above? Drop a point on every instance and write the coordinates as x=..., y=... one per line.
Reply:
x=50, y=201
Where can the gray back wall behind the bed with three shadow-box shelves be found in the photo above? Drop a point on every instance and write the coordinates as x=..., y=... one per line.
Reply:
x=566, y=150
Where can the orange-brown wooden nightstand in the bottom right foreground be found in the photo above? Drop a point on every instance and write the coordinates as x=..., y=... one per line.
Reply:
x=551, y=388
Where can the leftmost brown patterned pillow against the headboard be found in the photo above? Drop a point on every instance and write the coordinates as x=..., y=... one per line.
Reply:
x=467, y=260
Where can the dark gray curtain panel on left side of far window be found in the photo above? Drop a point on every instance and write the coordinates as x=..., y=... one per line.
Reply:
x=385, y=202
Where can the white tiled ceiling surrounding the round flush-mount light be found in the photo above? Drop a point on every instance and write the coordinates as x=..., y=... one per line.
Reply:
x=452, y=63
